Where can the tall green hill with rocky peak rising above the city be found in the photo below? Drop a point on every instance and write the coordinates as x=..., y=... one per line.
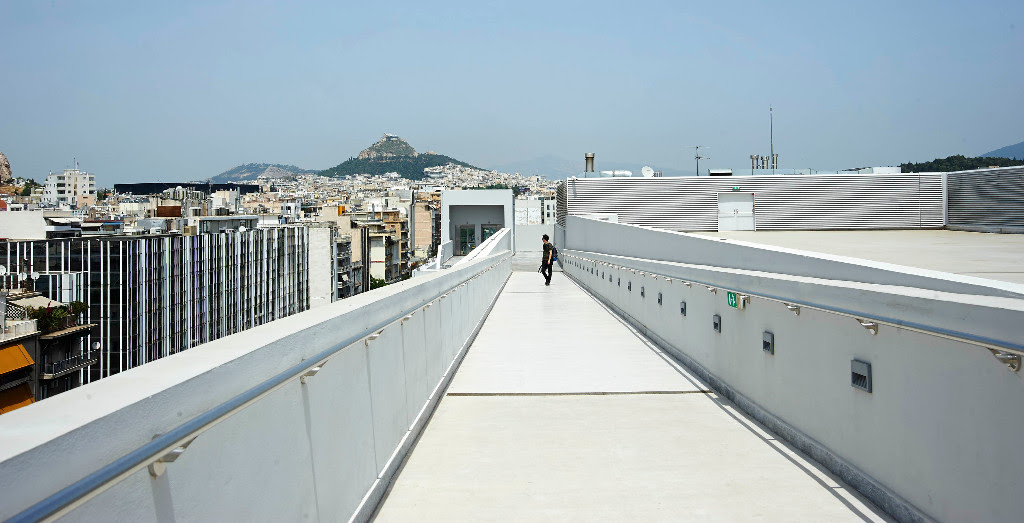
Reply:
x=392, y=155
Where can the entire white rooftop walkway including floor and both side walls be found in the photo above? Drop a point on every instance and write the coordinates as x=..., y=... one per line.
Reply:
x=641, y=385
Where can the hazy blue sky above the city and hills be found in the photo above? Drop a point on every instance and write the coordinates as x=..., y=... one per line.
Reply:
x=148, y=92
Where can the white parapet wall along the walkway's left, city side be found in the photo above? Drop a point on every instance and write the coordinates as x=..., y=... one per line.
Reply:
x=322, y=451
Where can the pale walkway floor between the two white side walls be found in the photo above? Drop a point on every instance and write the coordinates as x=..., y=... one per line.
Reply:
x=562, y=412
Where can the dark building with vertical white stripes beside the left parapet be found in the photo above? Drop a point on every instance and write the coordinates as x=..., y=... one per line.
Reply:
x=158, y=295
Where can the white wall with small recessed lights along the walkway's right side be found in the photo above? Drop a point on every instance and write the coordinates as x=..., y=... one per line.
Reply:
x=937, y=437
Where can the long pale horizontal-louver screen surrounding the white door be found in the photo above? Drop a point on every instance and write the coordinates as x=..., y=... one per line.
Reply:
x=809, y=202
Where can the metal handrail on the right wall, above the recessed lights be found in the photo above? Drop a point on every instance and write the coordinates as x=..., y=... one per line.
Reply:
x=986, y=342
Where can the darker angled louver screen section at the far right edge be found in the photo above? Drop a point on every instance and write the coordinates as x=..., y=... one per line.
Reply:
x=993, y=198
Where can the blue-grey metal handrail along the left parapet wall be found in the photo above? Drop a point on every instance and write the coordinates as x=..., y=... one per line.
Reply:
x=84, y=490
